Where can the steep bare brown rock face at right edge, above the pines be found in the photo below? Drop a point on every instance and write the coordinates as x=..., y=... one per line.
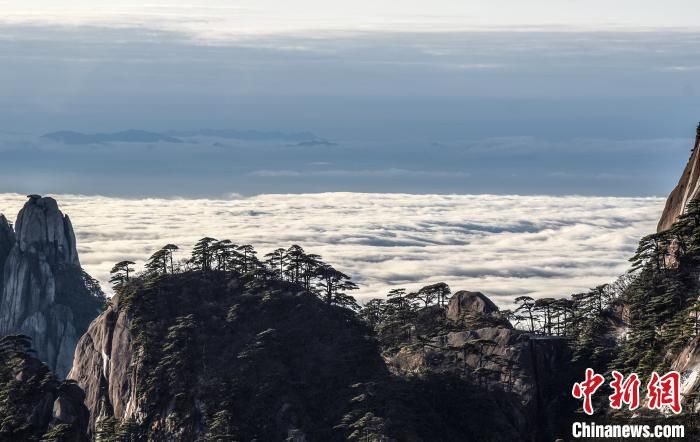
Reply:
x=687, y=189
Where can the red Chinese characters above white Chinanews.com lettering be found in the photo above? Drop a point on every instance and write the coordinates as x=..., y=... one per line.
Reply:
x=662, y=395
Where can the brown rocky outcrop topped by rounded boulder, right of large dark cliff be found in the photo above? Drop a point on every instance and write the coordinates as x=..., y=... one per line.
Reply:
x=496, y=356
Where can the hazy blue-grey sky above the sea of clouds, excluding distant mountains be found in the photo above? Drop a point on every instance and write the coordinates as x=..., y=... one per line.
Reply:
x=539, y=97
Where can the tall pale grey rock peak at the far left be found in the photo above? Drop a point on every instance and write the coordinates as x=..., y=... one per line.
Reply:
x=44, y=292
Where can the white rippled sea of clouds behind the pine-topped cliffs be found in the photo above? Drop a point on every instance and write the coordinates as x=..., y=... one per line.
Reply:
x=504, y=246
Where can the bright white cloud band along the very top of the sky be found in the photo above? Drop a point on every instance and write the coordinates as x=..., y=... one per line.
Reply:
x=218, y=18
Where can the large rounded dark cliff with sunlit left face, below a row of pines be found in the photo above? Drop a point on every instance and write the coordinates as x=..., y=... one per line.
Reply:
x=185, y=351
